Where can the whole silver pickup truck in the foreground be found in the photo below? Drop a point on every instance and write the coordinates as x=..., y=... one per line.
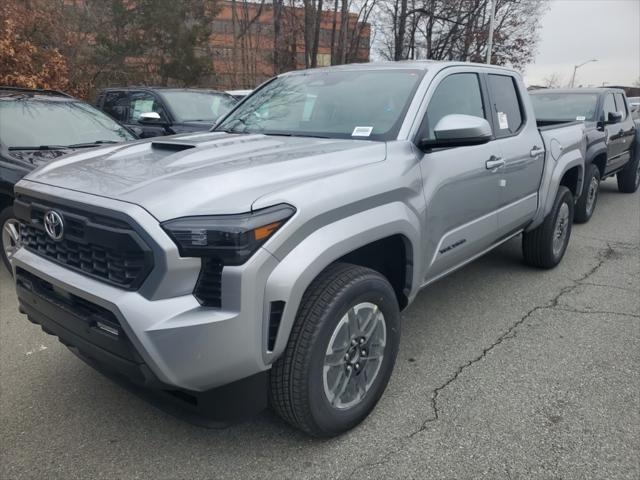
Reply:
x=268, y=261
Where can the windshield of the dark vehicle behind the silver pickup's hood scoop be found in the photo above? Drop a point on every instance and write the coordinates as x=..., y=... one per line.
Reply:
x=191, y=106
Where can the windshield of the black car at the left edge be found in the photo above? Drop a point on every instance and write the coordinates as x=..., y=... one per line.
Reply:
x=34, y=123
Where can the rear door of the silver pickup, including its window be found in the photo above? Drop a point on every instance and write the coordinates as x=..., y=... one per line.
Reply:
x=522, y=151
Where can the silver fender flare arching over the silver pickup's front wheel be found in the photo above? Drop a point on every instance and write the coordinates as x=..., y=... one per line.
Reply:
x=295, y=272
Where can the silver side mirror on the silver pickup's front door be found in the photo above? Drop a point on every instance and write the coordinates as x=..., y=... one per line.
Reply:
x=458, y=131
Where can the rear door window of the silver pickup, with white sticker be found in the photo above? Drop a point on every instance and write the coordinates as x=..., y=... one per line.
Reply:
x=506, y=106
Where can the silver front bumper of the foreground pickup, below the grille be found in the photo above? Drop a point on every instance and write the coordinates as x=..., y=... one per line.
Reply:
x=173, y=341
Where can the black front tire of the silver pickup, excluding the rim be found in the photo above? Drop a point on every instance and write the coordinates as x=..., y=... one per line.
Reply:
x=297, y=391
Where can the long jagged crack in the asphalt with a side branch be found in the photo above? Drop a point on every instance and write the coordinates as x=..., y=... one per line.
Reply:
x=602, y=257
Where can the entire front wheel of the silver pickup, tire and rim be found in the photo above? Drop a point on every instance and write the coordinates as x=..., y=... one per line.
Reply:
x=340, y=354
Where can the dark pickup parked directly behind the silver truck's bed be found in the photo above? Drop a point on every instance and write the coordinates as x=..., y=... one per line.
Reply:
x=610, y=136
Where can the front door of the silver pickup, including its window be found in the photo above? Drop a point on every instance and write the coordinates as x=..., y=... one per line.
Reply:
x=461, y=192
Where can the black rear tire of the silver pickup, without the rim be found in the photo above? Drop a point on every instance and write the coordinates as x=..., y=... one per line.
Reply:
x=538, y=244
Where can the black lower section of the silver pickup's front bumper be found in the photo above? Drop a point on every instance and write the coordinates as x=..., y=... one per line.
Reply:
x=94, y=335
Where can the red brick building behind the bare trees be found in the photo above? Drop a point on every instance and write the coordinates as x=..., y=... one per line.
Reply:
x=245, y=59
